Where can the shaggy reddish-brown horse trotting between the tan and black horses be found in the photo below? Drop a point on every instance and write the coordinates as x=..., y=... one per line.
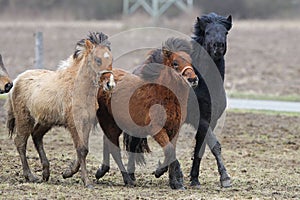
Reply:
x=162, y=82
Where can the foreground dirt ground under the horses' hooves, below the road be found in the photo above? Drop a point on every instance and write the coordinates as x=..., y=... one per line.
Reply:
x=261, y=153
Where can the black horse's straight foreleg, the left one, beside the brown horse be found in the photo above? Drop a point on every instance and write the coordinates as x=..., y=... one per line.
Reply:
x=198, y=152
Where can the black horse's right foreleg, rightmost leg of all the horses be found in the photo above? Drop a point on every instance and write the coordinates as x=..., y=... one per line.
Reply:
x=215, y=148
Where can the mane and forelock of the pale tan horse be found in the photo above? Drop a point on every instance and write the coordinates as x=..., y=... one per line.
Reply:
x=94, y=37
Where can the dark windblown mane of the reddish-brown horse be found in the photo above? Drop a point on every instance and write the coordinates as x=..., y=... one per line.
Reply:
x=152, y=67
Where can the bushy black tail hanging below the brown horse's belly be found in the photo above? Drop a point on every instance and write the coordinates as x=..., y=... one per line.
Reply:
x=136, y=145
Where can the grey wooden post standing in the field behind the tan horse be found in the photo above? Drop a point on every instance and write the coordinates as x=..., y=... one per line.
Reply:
x=38, y=63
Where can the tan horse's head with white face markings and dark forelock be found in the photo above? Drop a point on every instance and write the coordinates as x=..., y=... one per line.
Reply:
x=97, y=49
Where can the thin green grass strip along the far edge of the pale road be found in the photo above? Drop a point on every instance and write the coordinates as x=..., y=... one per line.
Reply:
x=243, y=95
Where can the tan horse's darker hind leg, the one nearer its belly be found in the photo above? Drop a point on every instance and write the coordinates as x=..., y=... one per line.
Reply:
x=37, y=136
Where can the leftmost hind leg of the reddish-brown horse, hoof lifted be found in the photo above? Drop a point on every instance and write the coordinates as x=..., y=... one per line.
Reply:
x=106, y=161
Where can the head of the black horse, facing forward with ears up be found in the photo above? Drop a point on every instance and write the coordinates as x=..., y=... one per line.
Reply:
x=211, y=32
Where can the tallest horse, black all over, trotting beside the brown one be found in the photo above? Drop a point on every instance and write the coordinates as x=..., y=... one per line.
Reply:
x=209, y=48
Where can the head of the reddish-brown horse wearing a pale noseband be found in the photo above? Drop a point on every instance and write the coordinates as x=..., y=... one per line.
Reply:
x=182, y=63
